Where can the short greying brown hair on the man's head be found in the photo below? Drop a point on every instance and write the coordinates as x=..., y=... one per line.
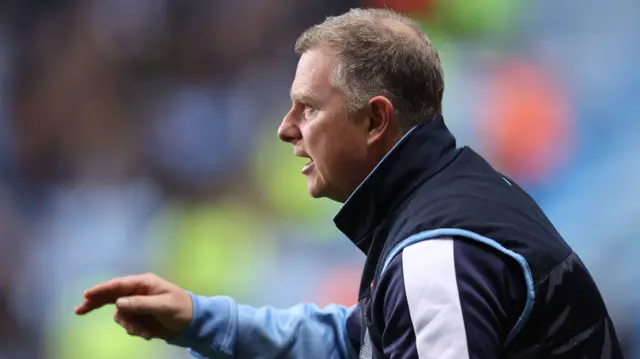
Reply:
x=381, y=52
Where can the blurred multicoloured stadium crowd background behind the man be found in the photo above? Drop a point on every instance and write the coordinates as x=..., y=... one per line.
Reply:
x=140, y=135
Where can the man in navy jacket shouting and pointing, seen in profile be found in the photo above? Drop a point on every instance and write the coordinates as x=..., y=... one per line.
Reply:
x=461, y=263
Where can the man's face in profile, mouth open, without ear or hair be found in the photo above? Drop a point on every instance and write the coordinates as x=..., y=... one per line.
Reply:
x=320, y=128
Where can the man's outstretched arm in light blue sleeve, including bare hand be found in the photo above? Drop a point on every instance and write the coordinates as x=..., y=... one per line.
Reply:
x=217, y=327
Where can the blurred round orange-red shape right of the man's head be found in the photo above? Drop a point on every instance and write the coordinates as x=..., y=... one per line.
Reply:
x=525, y=122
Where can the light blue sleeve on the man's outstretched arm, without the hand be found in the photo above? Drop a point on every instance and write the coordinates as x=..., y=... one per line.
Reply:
x=223, y=329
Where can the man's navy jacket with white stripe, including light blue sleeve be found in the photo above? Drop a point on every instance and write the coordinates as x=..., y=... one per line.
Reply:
x=461, y=263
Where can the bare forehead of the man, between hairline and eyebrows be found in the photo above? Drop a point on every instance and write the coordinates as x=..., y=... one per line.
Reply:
x=313, y=75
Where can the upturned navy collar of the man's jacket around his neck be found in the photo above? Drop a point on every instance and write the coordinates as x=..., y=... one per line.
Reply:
x=415, y=158
